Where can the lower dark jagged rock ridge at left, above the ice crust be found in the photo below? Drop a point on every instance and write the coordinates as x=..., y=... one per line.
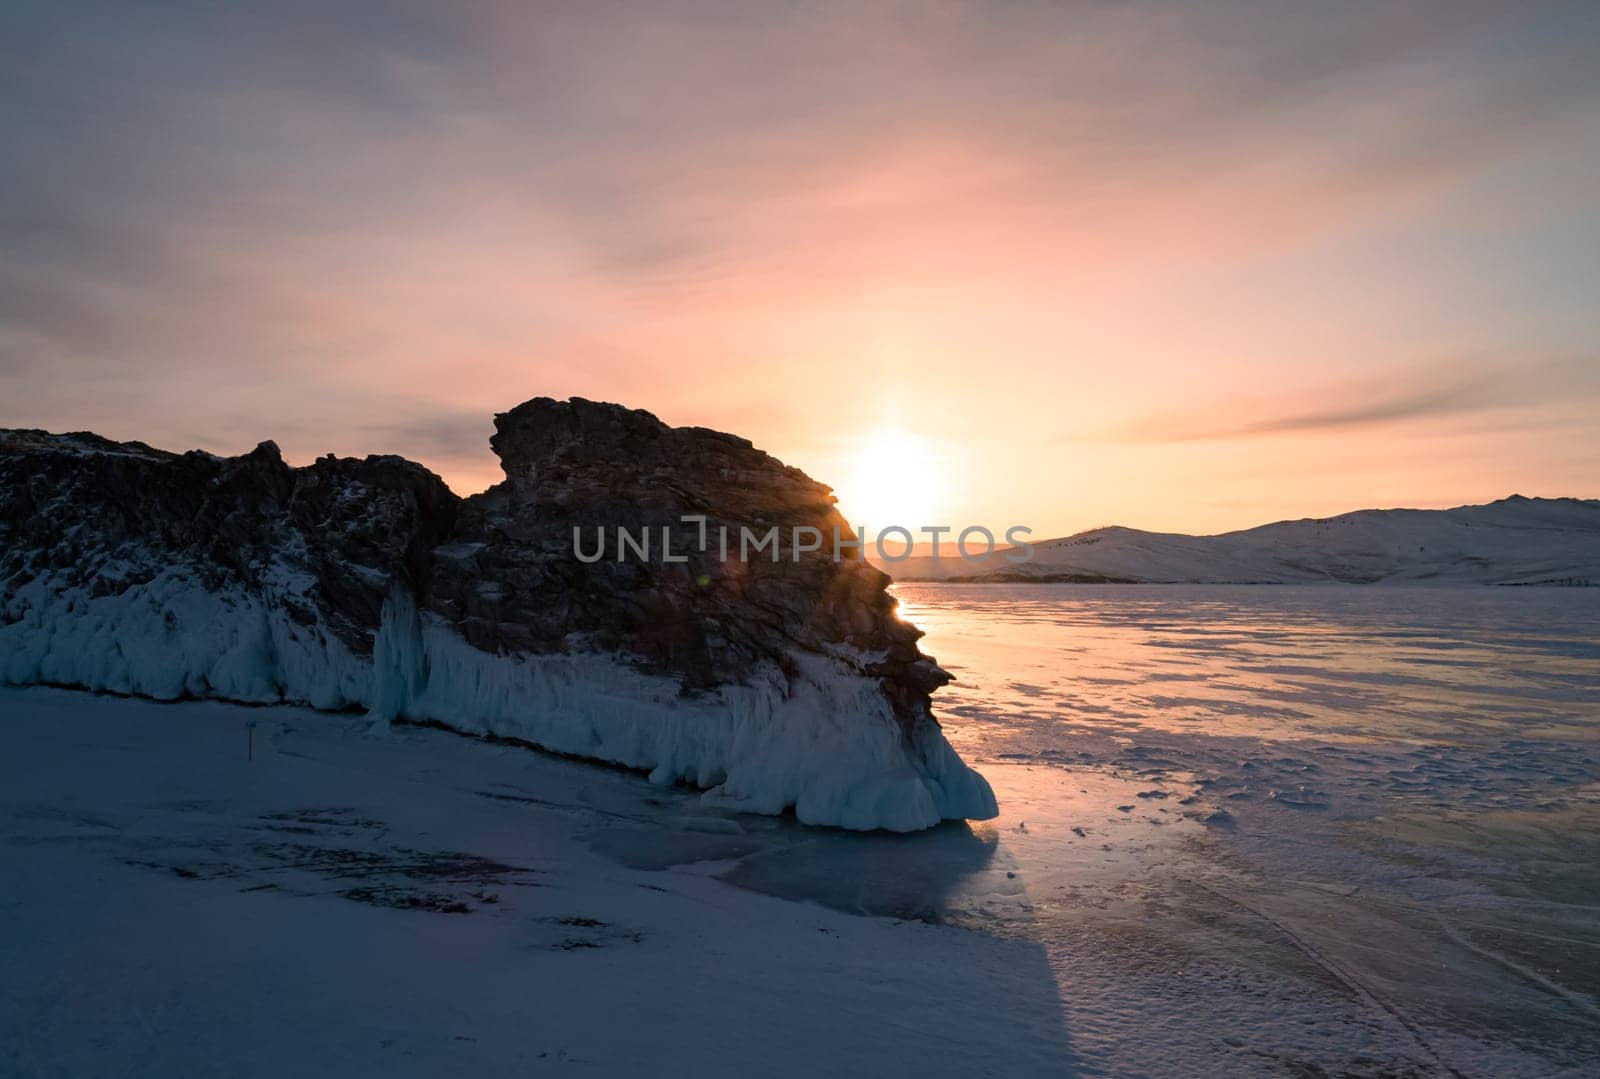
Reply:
x=356, y=527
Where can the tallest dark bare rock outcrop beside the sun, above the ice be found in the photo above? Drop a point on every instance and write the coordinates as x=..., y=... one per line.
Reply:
x=706, y=620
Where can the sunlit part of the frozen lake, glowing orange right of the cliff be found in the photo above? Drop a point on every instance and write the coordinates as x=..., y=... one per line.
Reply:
x=1321, y=827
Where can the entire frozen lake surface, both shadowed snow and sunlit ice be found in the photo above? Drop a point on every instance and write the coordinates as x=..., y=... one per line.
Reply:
x=1244, y=832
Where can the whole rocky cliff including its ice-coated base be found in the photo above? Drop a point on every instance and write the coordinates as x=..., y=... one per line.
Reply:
x=367, y=584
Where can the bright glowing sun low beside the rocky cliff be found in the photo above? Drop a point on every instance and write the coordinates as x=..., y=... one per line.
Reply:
x=894, y=479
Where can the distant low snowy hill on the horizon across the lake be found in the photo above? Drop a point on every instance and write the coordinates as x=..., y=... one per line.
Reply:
x=1511, y=542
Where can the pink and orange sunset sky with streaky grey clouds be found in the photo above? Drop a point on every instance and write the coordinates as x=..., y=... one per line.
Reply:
x=1174, y=267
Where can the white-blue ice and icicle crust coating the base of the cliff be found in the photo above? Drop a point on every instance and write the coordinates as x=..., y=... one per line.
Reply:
x=820, y=739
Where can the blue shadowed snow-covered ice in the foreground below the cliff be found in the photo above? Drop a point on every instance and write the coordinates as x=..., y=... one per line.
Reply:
x=417, y=904
